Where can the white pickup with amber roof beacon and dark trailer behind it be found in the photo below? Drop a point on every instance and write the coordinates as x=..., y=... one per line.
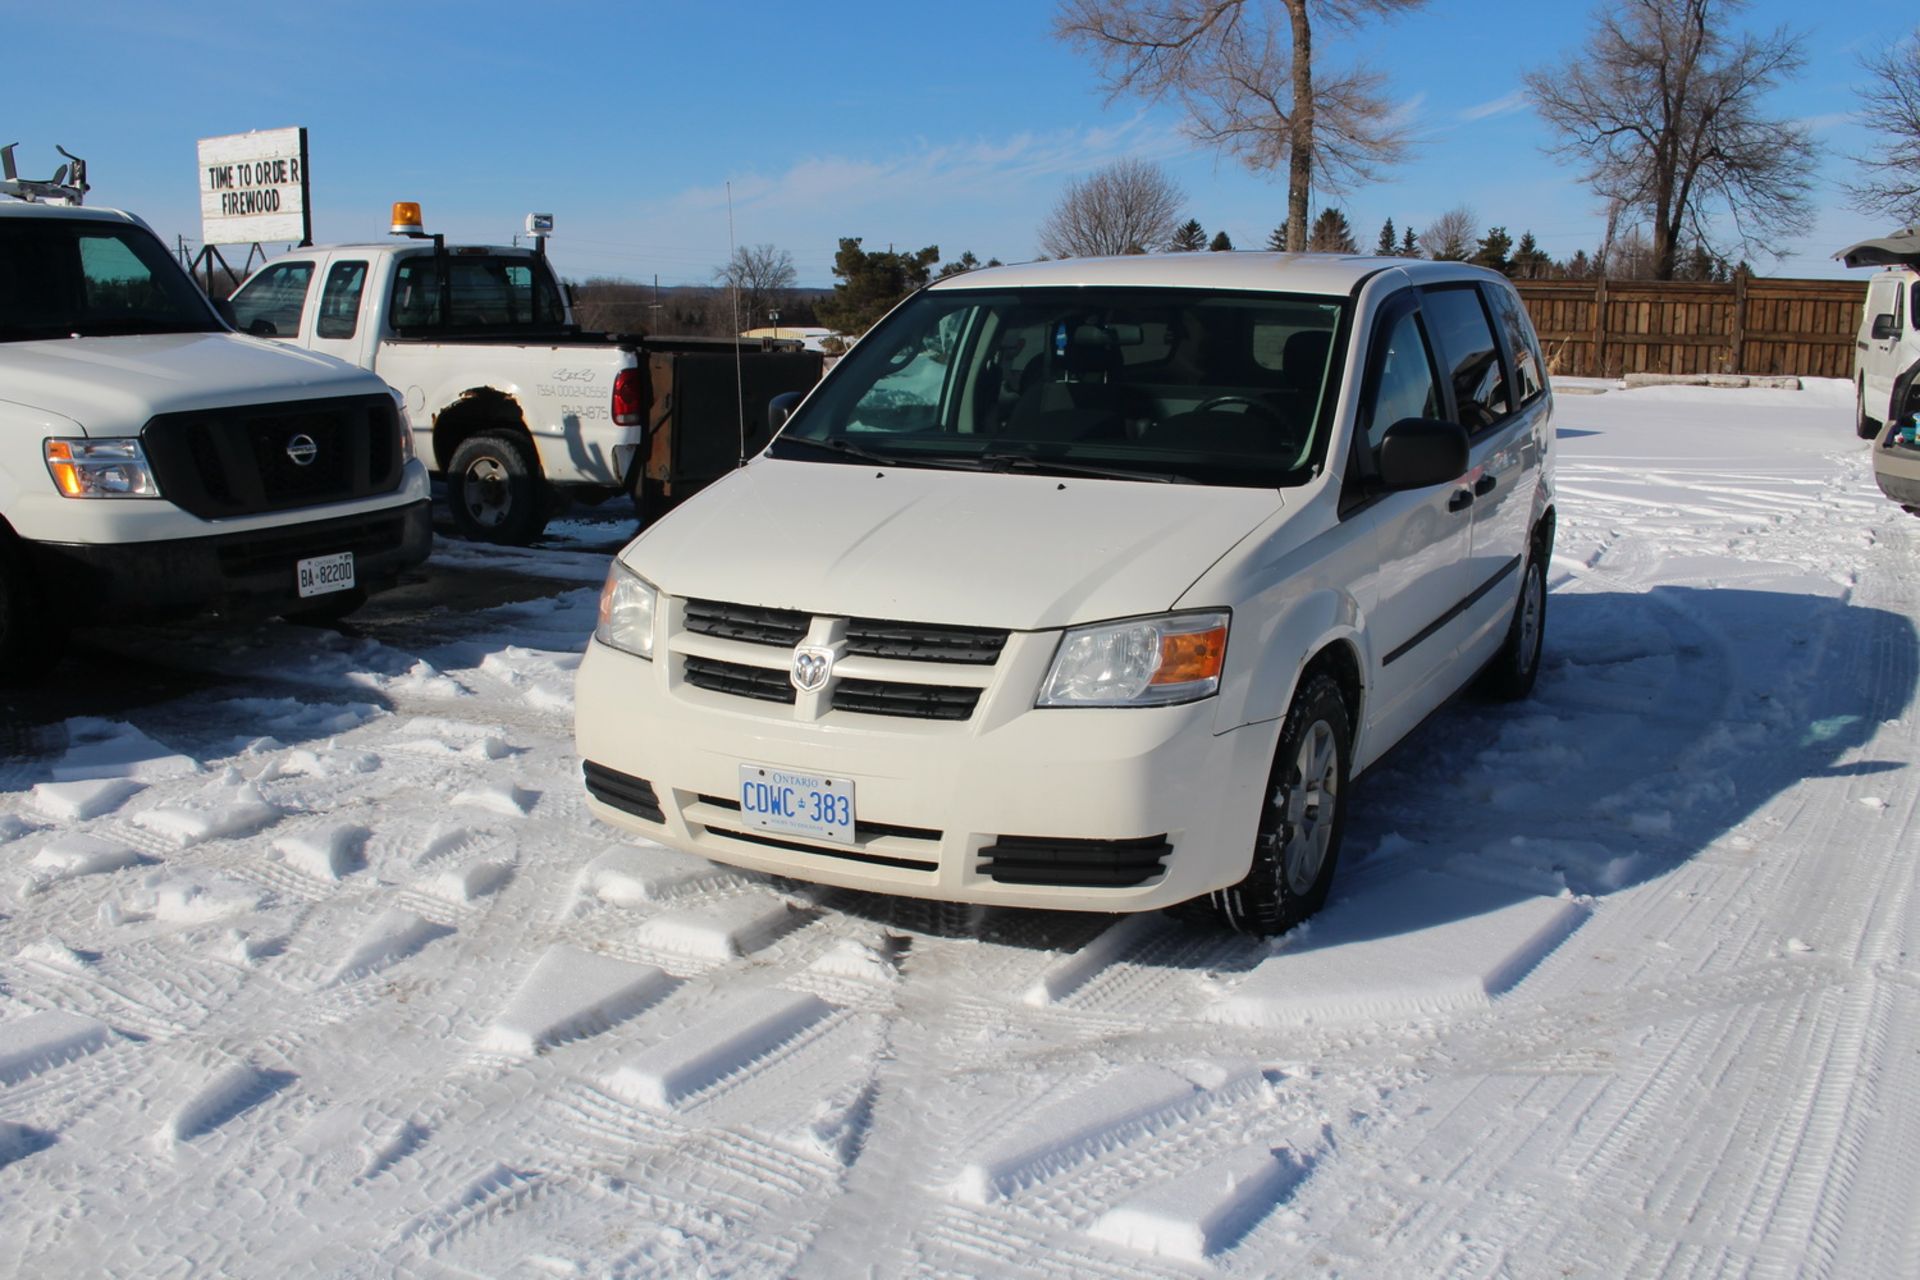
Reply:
x=514, y=404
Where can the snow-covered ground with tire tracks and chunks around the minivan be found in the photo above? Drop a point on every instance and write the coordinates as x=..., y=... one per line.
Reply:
x=339, y=976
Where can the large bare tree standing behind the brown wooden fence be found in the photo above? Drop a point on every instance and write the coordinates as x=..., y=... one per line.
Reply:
x=1664, y=110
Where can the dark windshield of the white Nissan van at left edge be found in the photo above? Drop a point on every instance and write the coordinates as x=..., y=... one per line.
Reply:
x=84, y=279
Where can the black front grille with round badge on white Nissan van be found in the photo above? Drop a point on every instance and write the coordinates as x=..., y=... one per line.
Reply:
x=243, y=462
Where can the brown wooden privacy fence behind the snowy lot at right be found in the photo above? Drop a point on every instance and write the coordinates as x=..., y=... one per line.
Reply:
x=1752, y=325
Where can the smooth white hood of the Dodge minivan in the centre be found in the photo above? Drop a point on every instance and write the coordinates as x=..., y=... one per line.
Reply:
x=946, y=546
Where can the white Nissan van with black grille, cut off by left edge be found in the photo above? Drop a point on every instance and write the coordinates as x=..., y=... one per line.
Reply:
x=155, y=463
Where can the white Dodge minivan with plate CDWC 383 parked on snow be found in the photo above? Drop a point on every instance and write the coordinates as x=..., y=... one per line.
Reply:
x=1090, y=586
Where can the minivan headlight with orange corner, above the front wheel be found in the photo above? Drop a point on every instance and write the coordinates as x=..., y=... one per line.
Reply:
x=1140, y=663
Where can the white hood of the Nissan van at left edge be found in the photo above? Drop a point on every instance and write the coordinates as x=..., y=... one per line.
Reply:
x=114, y=385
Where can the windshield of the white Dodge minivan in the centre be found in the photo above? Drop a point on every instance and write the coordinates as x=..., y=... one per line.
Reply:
x=1111, y=383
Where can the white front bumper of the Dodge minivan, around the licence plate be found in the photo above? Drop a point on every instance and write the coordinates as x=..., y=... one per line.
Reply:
x=1068, y=809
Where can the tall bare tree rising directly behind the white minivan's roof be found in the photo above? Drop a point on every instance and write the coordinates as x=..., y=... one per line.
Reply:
x=1251, y=83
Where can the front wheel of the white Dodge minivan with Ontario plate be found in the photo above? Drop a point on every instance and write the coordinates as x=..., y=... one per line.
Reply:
x=1301, y=818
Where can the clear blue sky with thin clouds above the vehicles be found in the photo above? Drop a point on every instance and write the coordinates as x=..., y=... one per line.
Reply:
x=901, y=124
